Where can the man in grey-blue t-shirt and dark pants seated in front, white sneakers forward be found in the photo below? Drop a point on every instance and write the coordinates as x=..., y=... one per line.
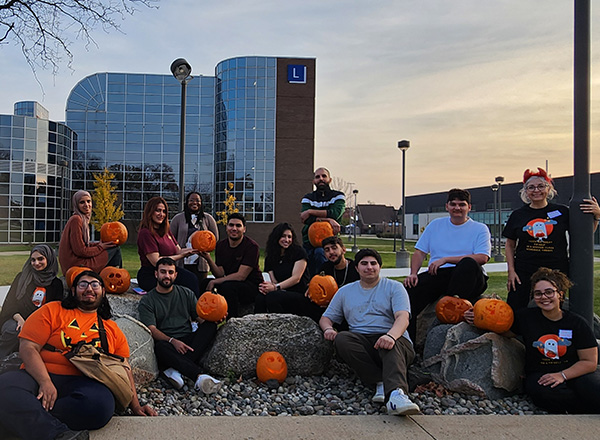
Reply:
x=377, y=346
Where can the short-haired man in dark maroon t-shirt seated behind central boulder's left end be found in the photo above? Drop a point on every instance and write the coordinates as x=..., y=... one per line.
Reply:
x=236, y=270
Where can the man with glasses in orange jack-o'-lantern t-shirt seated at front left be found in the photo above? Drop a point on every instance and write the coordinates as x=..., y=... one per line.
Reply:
x=50, y=398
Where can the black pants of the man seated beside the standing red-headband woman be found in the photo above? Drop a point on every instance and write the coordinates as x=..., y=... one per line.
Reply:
x=465, y=280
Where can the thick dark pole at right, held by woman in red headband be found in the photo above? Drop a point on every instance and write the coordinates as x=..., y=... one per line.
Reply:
x=581, y=229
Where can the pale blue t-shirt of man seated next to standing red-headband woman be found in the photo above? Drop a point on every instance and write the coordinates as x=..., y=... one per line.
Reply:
x=442, y=238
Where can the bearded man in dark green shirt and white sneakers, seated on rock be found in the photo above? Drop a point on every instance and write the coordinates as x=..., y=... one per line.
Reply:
x=168, y=311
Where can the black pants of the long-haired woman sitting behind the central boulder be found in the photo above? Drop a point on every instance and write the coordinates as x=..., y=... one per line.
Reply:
x=286, y=301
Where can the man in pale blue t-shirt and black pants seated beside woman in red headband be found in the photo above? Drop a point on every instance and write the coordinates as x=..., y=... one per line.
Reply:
x=458, y=248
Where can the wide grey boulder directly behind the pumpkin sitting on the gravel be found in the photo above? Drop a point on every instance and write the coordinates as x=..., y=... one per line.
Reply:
x=241, y=341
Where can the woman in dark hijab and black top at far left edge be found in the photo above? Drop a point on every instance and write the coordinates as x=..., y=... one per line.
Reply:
x=35, y=285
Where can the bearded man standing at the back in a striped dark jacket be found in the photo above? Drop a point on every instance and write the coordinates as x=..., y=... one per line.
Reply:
x=323, y=204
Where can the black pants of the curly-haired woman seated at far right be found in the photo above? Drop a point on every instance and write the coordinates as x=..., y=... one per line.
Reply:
x=575, y=396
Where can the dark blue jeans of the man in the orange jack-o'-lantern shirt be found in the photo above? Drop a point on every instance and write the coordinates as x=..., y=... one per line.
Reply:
x=82, y=403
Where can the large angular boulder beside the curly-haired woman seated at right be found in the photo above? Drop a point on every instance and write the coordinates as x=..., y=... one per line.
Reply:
x=472, y=361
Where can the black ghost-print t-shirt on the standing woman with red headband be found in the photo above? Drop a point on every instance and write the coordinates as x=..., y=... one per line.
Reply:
x=541, y=236
